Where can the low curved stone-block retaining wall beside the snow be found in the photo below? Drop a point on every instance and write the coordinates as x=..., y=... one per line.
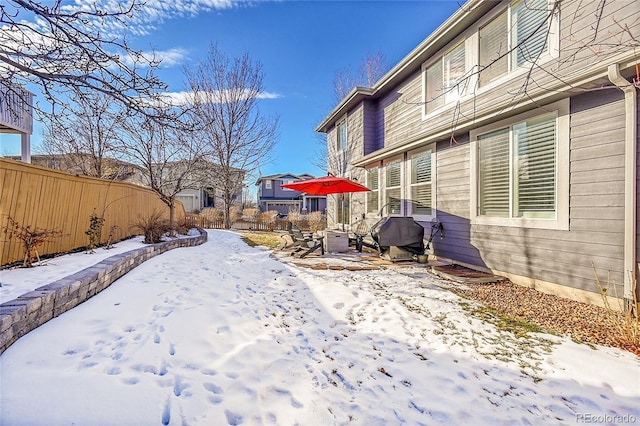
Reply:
x=31, y=310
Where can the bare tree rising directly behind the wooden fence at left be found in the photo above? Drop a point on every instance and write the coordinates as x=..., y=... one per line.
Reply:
x=85, y=135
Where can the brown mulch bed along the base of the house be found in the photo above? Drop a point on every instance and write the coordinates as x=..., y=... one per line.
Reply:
x=581, y=321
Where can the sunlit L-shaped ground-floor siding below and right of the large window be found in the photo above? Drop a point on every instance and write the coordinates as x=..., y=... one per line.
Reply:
x=595, y=237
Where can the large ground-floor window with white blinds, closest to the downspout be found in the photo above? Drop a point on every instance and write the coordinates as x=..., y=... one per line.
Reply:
x=517, y=170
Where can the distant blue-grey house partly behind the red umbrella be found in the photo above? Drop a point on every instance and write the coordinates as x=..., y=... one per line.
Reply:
x=273, y=197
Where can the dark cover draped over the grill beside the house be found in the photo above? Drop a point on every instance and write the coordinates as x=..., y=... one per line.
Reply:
x=399, y=231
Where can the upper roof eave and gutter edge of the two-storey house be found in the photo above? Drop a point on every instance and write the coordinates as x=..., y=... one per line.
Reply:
x=468, y=13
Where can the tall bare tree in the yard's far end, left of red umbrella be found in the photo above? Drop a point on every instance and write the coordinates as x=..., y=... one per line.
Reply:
x=238, y=138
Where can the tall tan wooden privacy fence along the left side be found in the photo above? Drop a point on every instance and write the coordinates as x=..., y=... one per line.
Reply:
x=49, y=199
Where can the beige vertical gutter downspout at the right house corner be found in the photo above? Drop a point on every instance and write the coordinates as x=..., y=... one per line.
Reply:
x=630, y=186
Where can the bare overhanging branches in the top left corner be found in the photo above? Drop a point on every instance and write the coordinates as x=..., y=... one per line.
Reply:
x=68, y=49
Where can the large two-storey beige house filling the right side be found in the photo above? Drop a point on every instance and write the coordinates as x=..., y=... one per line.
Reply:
x=514, y=124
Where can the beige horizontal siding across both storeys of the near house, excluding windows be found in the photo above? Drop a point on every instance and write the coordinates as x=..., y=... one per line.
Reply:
x=593, y=234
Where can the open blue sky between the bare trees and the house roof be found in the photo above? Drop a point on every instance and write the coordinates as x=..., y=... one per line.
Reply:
x=300, y=44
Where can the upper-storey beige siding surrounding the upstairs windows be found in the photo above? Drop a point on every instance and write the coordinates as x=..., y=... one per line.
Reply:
x=400, y=117
